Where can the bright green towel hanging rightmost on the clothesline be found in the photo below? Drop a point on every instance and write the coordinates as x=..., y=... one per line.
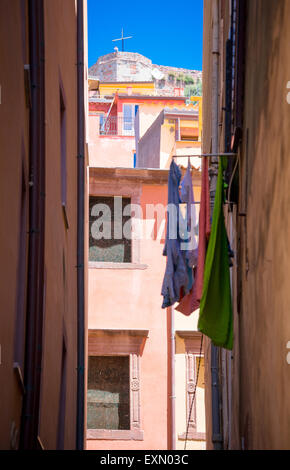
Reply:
x=216, y=316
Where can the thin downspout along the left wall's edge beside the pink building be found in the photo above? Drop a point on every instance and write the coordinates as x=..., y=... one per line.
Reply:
x=80, y=228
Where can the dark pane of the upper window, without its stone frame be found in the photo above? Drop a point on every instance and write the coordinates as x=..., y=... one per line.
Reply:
x=110, y=229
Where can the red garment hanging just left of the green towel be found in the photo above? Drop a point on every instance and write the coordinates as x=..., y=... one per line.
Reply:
x=191, y=301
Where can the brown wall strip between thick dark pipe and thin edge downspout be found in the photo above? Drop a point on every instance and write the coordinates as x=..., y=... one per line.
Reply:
x=61, y=291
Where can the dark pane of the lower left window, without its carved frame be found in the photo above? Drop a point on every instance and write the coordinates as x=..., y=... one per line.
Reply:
x=108, y=396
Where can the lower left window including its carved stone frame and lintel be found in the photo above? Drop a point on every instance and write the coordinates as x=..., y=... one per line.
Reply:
x=114, y=384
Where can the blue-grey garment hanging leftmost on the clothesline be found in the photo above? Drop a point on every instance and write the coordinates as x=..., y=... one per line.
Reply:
x=176, y=274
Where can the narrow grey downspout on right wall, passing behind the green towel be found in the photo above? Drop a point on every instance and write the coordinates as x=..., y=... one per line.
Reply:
x=216, y=424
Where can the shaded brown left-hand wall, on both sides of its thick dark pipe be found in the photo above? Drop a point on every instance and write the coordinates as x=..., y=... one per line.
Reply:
x=60, y=284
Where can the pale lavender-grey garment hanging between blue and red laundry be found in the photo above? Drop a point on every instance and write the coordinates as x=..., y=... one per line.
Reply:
x=187, y=198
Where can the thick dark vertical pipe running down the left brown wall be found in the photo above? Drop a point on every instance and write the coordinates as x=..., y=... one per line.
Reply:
x=35, y=276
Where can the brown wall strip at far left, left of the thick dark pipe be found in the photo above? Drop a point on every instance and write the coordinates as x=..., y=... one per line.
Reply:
x=14, y=117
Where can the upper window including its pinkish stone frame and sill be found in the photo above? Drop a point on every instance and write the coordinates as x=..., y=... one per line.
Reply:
x=125, y=194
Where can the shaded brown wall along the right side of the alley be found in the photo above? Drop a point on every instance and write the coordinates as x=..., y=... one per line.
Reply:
x=259, y=410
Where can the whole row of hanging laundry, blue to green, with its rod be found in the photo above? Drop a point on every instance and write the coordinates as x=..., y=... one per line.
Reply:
x=198, y=276
